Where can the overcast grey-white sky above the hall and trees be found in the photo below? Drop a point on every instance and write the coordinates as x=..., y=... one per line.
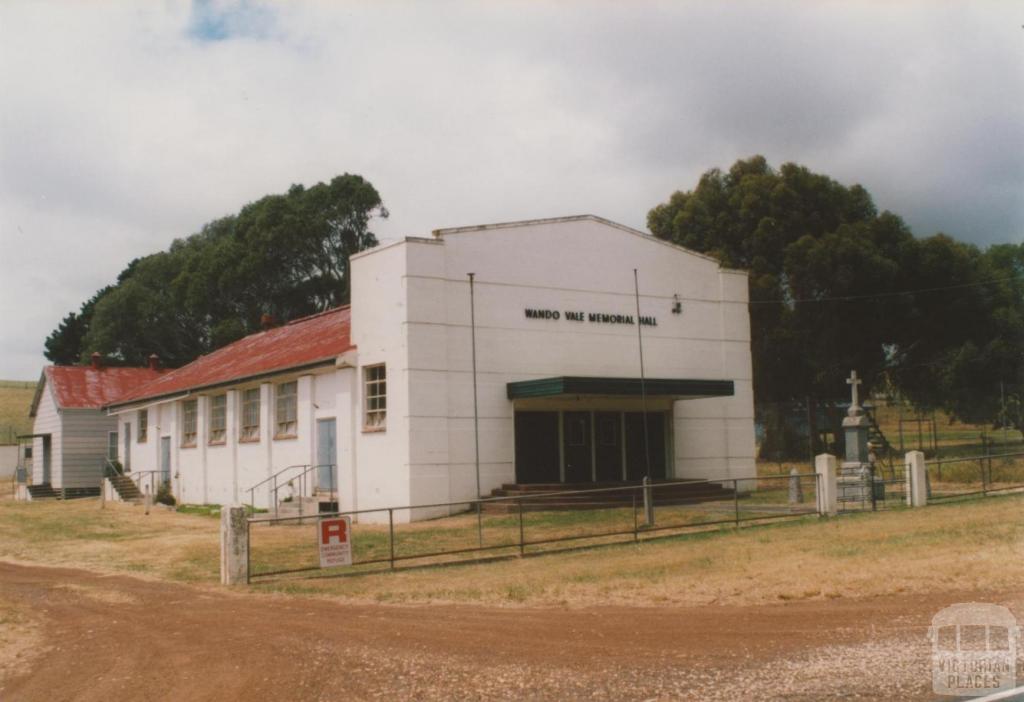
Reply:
x=126, y=125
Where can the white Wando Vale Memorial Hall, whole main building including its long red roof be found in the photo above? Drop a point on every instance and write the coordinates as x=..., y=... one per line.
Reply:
x=382, y=391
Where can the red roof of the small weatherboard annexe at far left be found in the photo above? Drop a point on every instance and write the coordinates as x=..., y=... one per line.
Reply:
x=83, y=387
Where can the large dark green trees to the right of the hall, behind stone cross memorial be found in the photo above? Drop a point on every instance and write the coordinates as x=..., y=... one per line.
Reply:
x=835, y=286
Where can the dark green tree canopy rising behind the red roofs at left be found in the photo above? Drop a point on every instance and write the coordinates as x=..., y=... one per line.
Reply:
x=284, y=255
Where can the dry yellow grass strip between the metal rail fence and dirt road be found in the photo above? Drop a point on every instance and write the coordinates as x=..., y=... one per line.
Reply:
x=977, y=545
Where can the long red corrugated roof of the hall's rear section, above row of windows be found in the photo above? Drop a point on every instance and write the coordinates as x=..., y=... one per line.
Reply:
x=301, y=343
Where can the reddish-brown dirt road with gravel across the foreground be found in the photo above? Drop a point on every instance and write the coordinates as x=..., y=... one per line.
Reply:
x=116, y=638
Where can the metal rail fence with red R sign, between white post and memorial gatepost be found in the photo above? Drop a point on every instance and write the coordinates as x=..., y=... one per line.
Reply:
x=527, y=524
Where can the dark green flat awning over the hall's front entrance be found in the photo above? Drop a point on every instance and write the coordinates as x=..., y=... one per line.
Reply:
x=623, y=387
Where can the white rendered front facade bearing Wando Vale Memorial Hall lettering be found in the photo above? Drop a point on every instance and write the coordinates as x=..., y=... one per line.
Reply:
x=577, y=266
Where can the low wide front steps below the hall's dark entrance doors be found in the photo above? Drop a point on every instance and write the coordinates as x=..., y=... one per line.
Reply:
x=665, y=493
